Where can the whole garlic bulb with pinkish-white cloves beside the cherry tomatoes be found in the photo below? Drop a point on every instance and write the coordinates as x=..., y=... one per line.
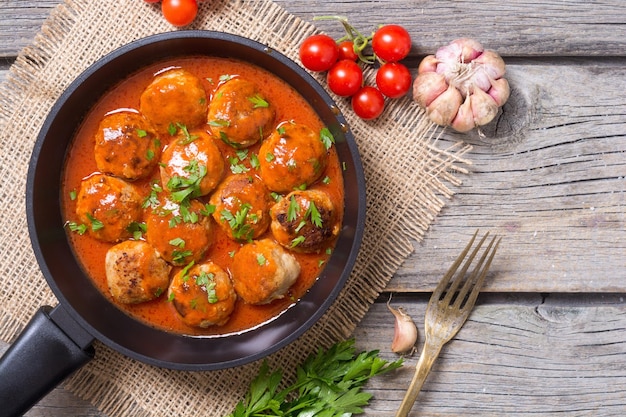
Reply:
x=462, y=85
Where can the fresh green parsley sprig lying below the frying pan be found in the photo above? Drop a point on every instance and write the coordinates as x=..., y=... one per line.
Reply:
x=328, y=384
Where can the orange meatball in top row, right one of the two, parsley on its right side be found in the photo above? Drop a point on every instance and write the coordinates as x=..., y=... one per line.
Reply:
x=238, y=114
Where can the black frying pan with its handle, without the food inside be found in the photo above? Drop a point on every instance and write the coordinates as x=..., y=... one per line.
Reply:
x=58, y=340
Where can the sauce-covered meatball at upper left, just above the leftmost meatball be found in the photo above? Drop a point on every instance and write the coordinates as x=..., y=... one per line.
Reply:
x=126, y=146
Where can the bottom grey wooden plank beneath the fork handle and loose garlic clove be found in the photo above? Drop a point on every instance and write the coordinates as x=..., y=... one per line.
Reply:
x=525, y=357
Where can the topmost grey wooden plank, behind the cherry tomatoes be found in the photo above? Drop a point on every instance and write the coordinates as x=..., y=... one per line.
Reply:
x=515, y=28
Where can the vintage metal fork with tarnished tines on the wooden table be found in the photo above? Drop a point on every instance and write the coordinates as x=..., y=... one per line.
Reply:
x=447, y=310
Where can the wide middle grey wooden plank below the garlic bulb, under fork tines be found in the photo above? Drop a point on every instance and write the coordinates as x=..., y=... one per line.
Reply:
x=550, y=176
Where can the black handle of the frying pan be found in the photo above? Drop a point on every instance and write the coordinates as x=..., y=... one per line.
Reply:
x=49, y=349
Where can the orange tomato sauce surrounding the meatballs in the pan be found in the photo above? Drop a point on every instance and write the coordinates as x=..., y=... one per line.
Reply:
x=80, y=163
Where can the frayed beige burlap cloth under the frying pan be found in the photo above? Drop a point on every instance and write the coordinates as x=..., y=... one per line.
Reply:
x=408, y=173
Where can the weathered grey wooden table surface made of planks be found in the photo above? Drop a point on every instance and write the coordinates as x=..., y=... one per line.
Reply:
x=548, y=335
